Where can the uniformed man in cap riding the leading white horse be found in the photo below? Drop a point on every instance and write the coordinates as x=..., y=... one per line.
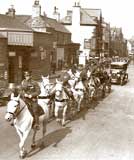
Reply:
x=31, y=90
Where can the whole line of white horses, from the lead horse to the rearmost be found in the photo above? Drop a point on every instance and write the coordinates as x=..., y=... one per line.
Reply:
x=53, y=100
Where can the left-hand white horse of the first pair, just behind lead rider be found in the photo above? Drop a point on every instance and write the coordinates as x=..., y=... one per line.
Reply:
x=44, y=97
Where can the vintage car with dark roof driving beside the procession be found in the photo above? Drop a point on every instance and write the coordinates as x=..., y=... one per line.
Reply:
x=118, y=72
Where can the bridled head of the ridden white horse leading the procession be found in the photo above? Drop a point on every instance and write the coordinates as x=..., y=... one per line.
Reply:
x=12, y=107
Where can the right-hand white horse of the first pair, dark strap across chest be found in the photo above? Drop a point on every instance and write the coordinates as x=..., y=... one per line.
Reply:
x=61, y=101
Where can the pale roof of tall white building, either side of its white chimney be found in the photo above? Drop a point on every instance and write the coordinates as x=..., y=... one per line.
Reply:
x=88, y=16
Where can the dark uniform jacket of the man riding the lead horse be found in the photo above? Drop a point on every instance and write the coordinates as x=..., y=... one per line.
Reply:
x=30, y=87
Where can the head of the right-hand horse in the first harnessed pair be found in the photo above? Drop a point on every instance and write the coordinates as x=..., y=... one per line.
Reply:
x=58, y=87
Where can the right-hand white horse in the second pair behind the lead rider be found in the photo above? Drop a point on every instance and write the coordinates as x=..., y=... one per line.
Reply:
x=78, y=89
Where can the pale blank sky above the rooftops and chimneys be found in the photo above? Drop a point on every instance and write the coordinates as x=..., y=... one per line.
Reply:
x=119, y=13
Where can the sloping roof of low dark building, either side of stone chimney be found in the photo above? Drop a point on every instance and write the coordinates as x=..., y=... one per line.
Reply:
x=43, y=22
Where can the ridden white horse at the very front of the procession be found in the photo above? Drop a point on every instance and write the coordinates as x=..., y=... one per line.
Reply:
x=17, y=110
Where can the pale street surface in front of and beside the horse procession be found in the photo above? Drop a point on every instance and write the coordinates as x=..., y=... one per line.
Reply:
x=104, y=132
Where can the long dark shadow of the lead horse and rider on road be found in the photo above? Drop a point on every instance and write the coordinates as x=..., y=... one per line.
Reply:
x=53, y=138
